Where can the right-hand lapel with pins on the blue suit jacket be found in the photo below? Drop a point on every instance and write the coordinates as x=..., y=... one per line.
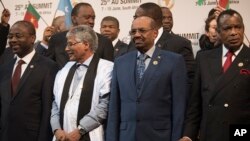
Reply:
x=150, y=71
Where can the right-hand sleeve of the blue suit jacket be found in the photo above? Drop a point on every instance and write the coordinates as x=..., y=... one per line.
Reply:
x=179, y=98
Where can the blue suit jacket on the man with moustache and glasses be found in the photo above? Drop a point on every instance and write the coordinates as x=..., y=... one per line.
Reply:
x=153, y=111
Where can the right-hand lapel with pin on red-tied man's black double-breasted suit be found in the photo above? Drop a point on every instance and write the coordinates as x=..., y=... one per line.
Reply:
x=233, y=71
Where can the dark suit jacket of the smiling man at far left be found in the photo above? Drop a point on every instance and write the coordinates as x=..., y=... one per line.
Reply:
x=26, y=115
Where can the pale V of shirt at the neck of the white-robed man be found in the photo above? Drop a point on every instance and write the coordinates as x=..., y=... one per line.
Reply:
x=78, y=76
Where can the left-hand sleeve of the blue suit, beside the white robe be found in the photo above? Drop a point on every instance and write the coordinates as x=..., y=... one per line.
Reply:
x=112, y=132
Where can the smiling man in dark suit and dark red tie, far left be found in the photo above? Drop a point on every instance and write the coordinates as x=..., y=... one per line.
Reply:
x=25, y=93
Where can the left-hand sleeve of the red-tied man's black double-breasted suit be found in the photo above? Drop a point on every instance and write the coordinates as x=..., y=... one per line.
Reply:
x=194, y=110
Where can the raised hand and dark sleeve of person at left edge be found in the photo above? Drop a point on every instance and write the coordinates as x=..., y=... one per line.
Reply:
x=4, y=30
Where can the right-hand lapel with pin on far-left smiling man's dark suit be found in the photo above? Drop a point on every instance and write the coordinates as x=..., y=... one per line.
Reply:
x=29, y=69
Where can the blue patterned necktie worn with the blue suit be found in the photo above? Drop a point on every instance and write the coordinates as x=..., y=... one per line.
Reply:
x=141, y=66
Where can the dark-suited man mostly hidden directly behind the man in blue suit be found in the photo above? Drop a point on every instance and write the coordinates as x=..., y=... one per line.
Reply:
x=165, y=40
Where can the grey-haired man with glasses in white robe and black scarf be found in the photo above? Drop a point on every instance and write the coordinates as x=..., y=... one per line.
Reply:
x=81, y=90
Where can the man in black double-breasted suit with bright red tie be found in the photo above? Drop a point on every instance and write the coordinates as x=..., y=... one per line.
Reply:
x=221, y=93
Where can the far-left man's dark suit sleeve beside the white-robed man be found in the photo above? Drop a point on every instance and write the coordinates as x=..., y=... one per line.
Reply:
x=47, y=97
